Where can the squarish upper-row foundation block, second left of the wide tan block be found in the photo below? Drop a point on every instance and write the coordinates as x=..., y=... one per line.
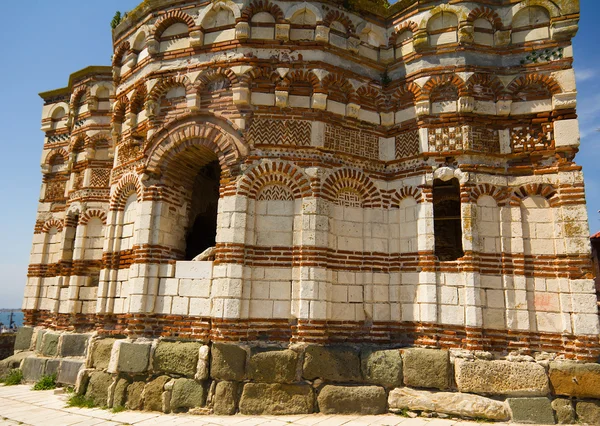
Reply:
x=382, y=367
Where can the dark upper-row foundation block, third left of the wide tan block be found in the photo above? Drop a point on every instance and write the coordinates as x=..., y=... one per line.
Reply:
x=338, y=364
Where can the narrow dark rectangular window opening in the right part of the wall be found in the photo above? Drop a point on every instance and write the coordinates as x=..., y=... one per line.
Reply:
x=447, y=226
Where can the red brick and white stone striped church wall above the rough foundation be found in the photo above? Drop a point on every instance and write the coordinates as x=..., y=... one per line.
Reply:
x=322, y=173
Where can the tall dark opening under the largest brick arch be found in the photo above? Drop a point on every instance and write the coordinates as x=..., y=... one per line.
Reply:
x=202, y=216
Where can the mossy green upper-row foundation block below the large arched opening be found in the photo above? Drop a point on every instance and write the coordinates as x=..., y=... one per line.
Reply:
x=176, y=357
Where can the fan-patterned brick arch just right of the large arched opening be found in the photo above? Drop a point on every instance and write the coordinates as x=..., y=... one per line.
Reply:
x=274, y=173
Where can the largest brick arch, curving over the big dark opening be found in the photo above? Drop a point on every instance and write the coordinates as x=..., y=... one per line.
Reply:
x=183, y=134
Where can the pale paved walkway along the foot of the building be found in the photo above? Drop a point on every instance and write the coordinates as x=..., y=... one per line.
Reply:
x=19, y=405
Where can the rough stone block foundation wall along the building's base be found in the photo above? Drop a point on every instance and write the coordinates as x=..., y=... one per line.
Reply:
x=176, y=376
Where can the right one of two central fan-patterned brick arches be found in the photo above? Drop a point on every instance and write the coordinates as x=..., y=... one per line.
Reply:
x=344, y=179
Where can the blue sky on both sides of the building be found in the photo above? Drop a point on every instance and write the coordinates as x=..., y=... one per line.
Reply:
x=45, y=41
